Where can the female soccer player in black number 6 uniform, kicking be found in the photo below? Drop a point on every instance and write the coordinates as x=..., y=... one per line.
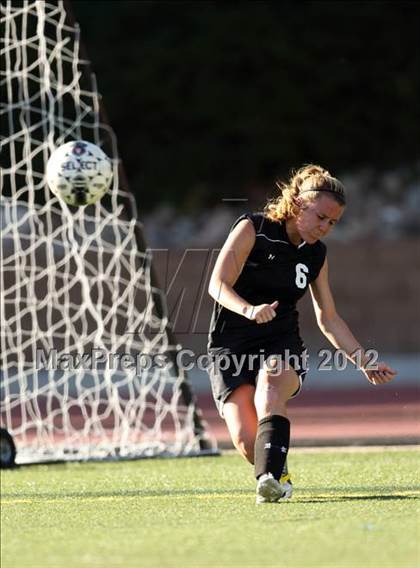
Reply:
x=257, y=355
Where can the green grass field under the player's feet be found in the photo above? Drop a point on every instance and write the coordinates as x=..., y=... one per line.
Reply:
x=350, y=508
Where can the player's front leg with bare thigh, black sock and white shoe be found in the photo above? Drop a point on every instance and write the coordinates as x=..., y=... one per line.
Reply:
x=273, y=433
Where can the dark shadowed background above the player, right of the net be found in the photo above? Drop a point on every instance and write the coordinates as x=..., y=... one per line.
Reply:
x=211, y=98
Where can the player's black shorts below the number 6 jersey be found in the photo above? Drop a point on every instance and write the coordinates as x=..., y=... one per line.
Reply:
x=229, y=369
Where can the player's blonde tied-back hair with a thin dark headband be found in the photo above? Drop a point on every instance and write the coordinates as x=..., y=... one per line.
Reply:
x=310, y=180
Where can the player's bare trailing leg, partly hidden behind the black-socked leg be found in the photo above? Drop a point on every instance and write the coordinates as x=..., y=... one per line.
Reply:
x=241, y=419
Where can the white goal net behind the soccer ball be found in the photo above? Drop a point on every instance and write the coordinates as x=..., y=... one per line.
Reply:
x=88, y=363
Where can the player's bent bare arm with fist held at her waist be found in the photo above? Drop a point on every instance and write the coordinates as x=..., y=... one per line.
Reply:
x=228, y=267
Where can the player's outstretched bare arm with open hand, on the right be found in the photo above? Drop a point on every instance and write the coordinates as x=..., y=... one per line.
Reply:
x=338, y=333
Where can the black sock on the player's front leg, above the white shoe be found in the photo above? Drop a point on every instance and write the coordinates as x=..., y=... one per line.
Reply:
x=271, y=445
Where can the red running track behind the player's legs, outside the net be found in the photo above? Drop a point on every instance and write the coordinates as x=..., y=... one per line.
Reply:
x=372, y=415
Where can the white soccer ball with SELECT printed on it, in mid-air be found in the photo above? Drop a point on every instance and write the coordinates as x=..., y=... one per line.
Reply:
x=79, y=172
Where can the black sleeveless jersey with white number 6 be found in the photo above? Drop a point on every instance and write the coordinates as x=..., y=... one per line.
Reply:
x=275, y=269
